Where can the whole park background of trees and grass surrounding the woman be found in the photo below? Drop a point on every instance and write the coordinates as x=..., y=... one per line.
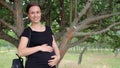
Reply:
x=87, y=31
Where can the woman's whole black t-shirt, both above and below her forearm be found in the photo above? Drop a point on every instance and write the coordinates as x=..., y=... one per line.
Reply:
x=40, y=58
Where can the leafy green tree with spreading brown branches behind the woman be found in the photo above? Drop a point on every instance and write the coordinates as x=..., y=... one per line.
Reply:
x=76, y=19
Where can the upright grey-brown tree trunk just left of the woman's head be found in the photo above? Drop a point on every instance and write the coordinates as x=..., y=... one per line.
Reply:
x=18, y=17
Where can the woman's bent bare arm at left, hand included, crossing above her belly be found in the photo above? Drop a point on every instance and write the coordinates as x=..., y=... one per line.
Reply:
x=23, y=50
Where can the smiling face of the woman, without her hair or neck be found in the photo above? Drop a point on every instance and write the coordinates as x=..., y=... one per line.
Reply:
x=34, y=14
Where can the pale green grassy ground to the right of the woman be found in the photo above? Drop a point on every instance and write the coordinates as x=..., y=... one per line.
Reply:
x=91, y=60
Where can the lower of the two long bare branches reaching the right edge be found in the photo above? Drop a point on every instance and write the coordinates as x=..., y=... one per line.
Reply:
x=98, y=32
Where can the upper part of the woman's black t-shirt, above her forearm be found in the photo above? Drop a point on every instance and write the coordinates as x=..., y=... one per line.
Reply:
x=38, y=38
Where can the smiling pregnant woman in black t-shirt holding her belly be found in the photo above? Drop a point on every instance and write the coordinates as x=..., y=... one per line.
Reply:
x=42, y=51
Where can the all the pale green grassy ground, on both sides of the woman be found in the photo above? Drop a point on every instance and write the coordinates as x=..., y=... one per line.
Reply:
x=90, y=60
